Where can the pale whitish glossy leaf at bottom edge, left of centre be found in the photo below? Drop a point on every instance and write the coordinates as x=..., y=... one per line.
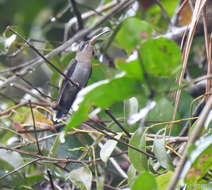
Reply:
x=82, y=178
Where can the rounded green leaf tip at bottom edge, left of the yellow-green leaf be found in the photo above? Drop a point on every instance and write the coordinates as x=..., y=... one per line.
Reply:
x=144, y=181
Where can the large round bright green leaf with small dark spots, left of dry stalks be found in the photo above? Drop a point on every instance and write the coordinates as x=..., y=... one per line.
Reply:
x=161, y=57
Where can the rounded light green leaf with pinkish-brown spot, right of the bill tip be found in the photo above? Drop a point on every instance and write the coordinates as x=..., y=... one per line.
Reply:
x=133, y=32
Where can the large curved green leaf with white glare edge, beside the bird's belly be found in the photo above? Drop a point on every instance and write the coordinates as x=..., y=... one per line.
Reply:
x=103, y=94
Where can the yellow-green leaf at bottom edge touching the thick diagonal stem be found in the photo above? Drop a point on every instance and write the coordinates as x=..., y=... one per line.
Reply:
x=163, y=180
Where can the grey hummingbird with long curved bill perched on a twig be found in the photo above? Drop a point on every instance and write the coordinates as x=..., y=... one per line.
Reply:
x=78, y=71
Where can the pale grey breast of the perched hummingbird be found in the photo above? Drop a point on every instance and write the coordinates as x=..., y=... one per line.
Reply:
x=81, y=74
